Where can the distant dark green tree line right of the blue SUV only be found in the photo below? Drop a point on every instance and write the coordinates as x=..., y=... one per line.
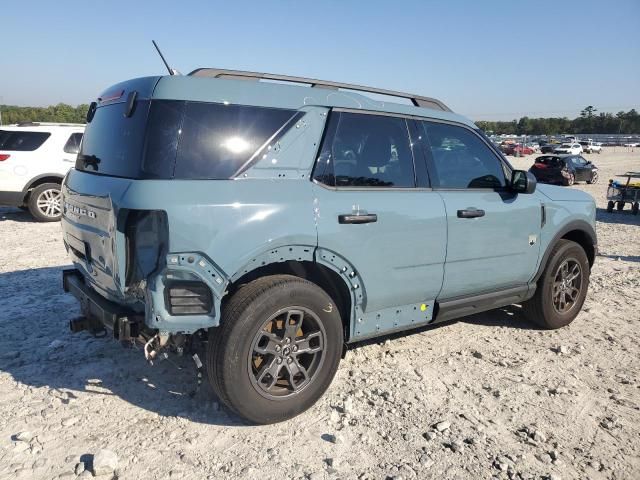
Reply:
x=589, y=121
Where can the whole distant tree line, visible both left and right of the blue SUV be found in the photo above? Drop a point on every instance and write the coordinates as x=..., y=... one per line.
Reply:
x=589, y=121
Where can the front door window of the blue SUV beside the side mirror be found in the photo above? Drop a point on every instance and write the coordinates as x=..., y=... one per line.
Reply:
x=460, y=159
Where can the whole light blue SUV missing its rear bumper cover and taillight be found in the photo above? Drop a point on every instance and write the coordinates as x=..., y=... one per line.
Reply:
x=277, y=219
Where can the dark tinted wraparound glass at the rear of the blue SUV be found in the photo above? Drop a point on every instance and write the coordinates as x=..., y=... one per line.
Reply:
x=166, y=139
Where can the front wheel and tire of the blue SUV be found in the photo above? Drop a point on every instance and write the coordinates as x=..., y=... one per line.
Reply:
x=545, y=307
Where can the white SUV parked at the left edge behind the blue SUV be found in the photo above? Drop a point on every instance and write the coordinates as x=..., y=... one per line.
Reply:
x=34, y=158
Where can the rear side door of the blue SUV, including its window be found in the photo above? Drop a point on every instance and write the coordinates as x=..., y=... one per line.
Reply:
x=374, y=209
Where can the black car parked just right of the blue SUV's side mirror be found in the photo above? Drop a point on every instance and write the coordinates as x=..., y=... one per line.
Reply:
x=564, y=169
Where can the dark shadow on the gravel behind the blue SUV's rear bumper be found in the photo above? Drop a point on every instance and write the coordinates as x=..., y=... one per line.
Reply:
x=38, y=350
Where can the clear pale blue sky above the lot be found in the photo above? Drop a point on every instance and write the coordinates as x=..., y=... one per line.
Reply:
x=485, y=59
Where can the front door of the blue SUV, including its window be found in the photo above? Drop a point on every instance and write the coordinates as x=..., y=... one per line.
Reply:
x=493, y=234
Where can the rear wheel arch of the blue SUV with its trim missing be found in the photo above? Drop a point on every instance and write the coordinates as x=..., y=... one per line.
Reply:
x=306, y=263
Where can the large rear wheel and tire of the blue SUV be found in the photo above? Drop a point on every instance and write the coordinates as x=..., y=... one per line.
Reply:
x=236, y=349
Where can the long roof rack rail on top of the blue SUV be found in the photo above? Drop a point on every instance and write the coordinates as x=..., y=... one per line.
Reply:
x=417, y=100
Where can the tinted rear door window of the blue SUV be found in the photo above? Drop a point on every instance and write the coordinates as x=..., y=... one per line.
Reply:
x=362, y=150
